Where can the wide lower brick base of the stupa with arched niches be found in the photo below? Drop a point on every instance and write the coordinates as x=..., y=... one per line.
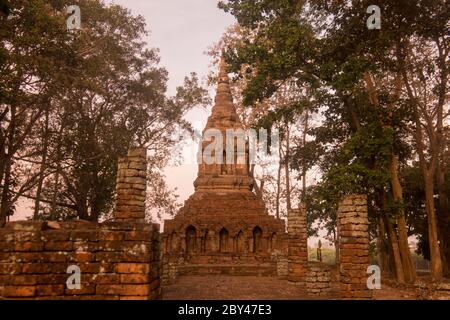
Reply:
x=226, y=233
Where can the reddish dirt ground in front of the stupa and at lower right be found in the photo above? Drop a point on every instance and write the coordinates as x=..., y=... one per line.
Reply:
x=225, y=287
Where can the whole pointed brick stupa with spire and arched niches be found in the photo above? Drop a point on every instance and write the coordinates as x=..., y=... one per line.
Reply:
x=223, y=220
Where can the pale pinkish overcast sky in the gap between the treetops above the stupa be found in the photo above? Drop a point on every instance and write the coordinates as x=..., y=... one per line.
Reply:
x=182, y=30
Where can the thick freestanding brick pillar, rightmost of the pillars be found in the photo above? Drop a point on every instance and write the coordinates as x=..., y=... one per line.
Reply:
x=353, y=247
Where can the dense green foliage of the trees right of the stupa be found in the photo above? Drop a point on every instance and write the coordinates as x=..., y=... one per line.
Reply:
x=325, y=46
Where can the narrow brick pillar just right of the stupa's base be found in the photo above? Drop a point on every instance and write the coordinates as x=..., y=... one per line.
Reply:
x=297, y=244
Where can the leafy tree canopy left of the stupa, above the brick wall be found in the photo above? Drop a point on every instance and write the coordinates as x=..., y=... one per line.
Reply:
x=104, y=92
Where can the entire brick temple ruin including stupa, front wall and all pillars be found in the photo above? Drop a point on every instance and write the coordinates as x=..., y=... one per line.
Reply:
x=223, y=228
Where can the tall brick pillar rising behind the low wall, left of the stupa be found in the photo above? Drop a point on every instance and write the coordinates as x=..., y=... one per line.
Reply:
x=131, y=185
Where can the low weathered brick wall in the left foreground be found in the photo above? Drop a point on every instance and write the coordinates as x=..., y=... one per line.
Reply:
x=117, y=260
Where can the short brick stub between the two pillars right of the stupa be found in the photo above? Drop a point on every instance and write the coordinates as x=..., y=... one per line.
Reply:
x=318, y=279
